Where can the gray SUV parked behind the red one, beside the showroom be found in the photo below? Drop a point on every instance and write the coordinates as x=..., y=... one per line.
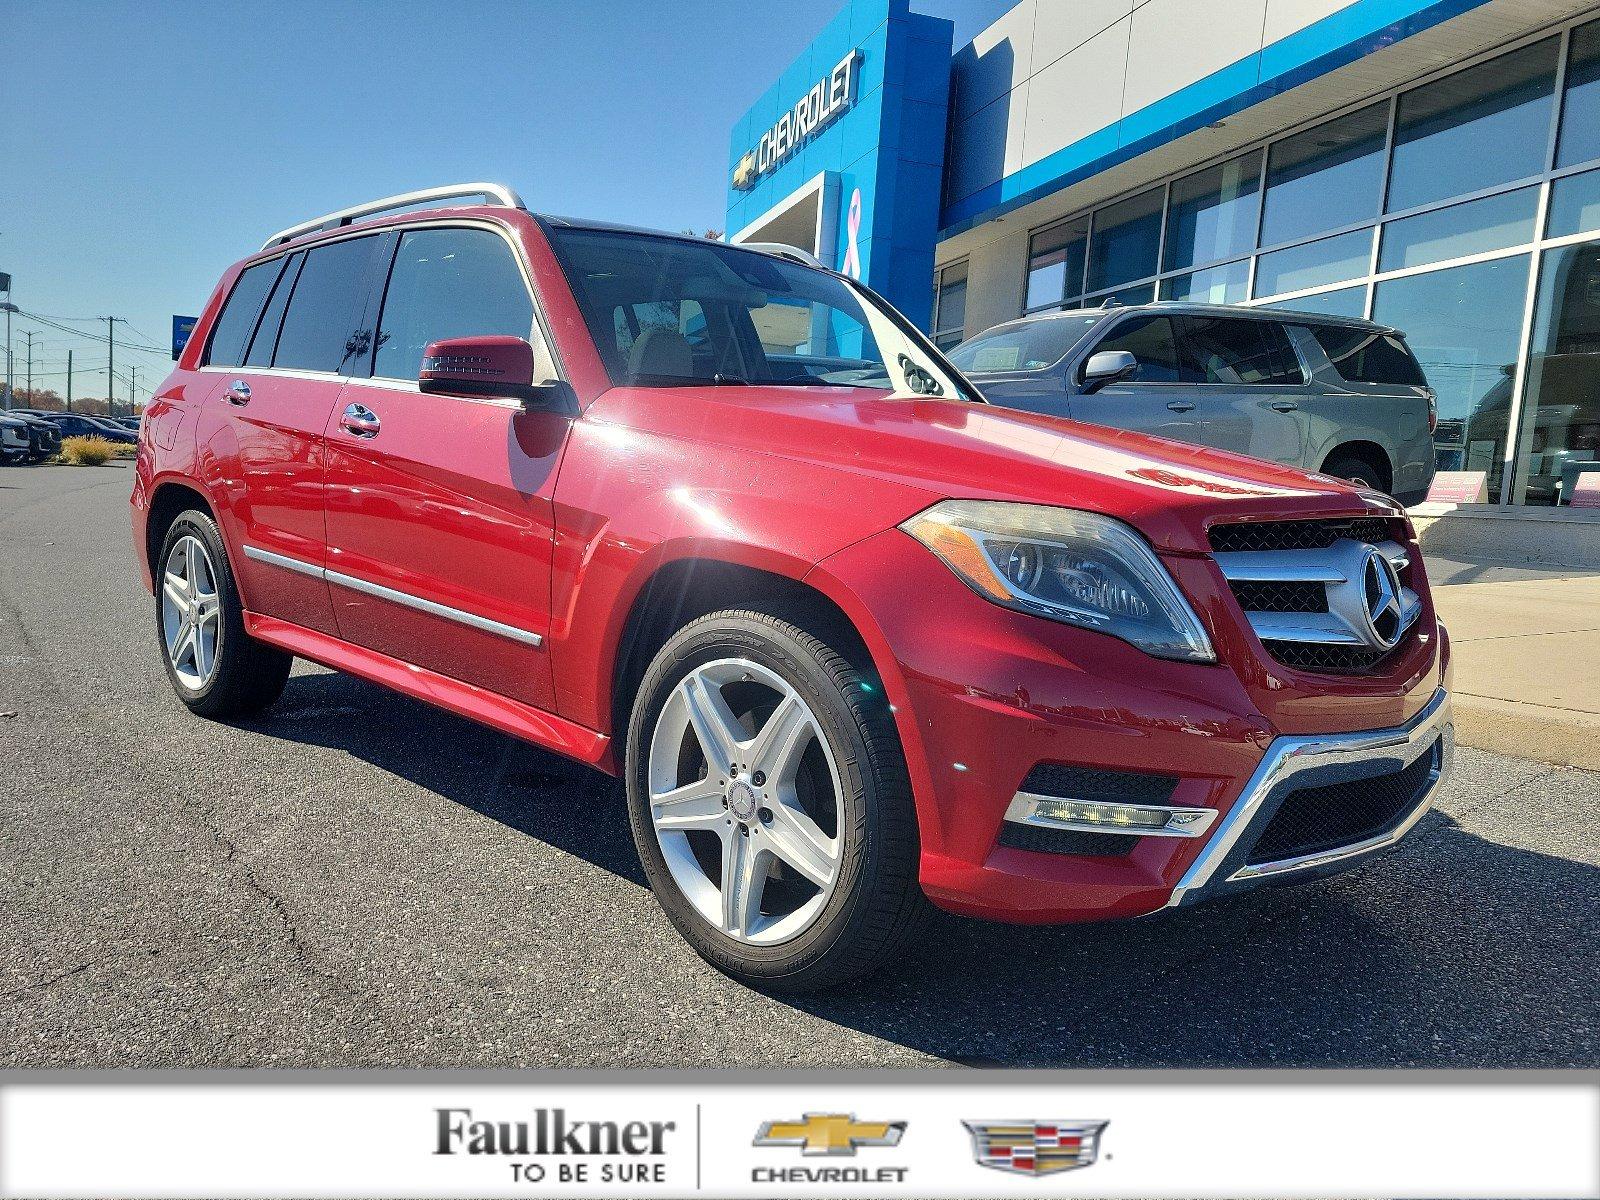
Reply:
x=1332, y=394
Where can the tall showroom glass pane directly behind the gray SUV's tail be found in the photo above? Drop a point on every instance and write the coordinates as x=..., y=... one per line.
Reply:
x=1463, y=324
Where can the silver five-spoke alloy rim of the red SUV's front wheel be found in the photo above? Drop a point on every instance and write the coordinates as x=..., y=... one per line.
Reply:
x=754, y=798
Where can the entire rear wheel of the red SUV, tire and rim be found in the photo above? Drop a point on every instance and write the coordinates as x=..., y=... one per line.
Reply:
x=214, y=665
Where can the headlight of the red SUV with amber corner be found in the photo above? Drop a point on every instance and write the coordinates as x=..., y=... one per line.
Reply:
x=1068, y=566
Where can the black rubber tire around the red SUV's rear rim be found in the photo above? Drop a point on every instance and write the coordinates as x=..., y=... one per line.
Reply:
x=249, y=674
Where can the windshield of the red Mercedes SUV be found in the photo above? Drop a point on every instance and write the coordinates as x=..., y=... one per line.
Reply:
x=671, y=313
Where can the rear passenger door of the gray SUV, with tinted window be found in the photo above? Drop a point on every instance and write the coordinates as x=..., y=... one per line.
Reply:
x=1249, y=385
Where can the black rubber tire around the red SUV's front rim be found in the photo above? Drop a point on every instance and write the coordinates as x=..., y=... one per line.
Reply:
x=876, y=905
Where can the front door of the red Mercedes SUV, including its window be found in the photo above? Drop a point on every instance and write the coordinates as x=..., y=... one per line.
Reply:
x=441, y=508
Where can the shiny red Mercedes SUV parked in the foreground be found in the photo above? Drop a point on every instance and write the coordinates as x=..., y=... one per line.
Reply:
x=722, y=522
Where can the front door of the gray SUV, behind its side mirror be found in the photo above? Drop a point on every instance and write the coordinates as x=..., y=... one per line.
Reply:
x=1162, y=399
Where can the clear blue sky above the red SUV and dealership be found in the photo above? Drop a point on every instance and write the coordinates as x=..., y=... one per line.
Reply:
x=146, y=146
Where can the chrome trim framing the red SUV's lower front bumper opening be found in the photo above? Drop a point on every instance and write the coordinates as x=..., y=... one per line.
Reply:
x=1292, y=756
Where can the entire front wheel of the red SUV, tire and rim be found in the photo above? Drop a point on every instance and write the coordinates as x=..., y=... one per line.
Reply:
x=770, y=804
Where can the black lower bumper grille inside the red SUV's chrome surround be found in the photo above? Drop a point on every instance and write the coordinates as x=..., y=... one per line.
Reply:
x=1316, y=820
